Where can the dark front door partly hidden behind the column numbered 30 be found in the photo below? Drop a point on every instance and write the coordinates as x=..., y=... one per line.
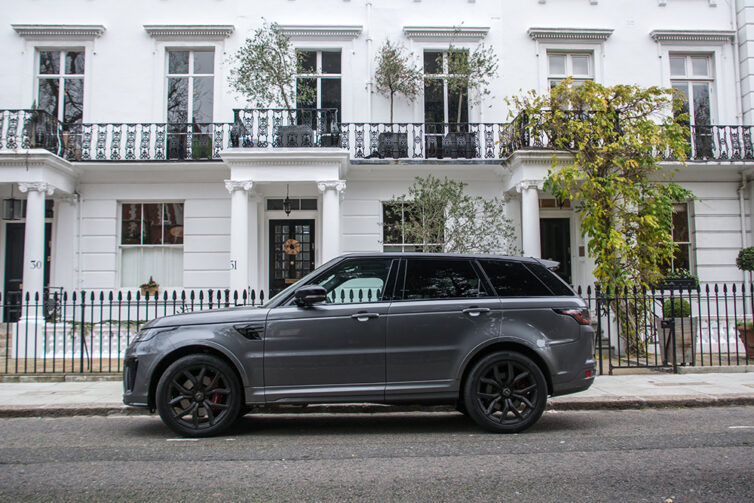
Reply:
x=14, y=267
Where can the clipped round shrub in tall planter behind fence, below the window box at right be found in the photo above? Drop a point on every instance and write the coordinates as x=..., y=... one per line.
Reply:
x=677, y=324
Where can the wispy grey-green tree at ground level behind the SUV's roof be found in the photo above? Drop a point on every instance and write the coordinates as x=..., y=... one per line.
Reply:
x=441, y=216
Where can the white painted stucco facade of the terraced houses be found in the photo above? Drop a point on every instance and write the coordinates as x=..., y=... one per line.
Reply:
x=225, y=218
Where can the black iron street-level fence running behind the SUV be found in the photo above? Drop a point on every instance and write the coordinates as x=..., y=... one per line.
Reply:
x=81, y=332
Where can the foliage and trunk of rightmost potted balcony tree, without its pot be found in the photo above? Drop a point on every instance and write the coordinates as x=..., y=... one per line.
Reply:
x=470, y=72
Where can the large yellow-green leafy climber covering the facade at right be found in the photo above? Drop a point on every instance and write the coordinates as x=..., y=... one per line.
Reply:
x=614, y=138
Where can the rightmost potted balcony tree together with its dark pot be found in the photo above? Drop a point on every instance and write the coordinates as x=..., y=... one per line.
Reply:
x=470, y=73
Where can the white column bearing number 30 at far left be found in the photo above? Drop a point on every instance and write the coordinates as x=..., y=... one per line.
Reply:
x=34, y=236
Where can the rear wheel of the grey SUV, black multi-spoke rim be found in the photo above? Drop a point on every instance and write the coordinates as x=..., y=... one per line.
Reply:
x=505, y=392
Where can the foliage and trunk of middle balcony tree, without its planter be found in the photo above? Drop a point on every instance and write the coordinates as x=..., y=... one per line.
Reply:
x=395, y=74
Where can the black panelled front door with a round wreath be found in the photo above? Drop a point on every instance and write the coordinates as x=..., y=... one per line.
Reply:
x=291, y=252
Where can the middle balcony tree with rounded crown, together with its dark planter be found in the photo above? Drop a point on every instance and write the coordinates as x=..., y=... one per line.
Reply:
x=395, y=74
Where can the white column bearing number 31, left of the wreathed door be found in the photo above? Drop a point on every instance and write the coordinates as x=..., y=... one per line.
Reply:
x=239, y=233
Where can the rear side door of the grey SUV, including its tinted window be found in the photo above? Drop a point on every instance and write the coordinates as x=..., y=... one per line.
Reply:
x=444, y=311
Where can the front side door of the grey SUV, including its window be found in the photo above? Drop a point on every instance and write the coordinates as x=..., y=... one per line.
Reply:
x=333, y=350
